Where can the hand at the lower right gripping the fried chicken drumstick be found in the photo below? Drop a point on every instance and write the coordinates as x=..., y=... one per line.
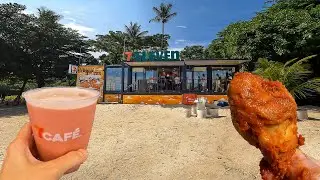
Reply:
x=302, y=167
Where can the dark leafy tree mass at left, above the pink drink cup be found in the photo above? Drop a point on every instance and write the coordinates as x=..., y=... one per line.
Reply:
x=36, y=47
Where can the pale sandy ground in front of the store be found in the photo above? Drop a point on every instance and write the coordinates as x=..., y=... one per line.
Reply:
x=154, y=142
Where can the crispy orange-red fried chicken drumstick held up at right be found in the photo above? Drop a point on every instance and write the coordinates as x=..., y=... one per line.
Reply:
x=264, y=114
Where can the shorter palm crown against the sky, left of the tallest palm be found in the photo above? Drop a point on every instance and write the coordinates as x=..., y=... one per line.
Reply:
x=135, y=34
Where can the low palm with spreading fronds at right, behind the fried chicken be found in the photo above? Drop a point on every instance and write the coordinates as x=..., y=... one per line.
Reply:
x=294, y=74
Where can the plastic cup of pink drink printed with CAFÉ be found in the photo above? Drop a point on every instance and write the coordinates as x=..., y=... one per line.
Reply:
x=61, y=119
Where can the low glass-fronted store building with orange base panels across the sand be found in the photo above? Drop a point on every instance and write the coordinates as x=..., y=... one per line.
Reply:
x=161, y=82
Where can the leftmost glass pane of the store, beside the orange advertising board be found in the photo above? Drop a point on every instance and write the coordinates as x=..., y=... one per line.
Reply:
x=113, y=79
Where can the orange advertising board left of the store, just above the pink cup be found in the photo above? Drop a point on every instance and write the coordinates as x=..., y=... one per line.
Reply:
x=91, y=77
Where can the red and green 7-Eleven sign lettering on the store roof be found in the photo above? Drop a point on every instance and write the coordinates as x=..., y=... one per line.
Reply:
x=153, y=56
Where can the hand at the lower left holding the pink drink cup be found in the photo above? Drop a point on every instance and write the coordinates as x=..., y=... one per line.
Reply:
x=21, y=163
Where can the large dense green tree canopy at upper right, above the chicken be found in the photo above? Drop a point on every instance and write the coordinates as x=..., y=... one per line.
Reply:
x=285, y=30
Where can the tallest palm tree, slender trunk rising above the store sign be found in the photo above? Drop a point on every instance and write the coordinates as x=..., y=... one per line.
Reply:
x=163, y=15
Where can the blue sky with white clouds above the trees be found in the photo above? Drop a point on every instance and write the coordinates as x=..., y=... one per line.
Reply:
x=197, y=23
